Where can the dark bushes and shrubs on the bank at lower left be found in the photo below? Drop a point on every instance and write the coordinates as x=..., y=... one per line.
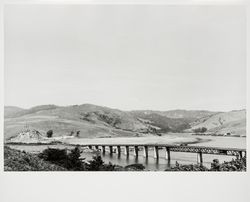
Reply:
x=58, y=160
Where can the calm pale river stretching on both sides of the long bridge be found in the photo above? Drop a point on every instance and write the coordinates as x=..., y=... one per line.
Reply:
x=151, y=163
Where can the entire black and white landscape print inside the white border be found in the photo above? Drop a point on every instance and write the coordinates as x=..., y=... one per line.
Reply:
x=124, y=87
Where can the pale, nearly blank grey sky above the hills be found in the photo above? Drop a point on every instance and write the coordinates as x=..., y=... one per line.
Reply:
x=126, y=56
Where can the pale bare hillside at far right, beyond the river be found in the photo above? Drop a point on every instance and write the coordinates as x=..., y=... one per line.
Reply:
x=233, y=123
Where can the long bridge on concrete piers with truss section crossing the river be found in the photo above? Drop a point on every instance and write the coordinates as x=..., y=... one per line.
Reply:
x=135, y=148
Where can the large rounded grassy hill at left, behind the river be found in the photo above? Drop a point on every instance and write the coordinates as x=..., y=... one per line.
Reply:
x=90, y=120
